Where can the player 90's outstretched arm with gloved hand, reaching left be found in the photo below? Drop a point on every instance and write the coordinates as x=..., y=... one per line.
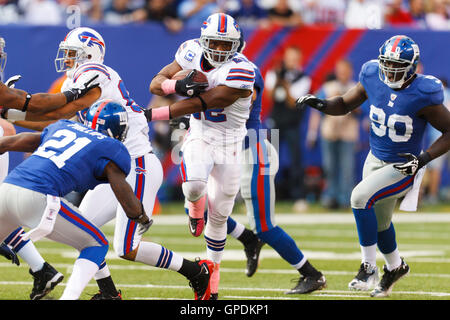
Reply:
x=339, y=105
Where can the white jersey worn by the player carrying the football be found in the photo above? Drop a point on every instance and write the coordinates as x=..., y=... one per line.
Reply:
x=219, y=126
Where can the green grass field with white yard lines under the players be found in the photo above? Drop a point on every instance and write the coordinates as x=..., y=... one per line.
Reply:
x=329, y=240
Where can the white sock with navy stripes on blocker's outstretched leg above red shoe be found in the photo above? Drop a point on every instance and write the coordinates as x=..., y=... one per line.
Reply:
x=156, y=255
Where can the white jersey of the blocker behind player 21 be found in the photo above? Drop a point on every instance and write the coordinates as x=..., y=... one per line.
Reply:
x=112, y=86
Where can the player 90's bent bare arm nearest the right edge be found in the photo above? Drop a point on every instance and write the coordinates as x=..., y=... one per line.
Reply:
x=439, y=118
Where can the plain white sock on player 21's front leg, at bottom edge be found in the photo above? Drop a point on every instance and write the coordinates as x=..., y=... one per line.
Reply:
x=83, y=271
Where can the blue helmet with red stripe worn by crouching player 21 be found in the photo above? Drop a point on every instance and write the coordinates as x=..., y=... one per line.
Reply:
x=108, y=117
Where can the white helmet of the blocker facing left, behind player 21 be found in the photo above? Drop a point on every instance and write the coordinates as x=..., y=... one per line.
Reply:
x=80, y=45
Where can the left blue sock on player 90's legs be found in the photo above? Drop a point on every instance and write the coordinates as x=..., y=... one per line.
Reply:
x=366, y=224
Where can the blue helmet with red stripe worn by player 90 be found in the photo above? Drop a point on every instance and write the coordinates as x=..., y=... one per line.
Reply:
x=398, y=60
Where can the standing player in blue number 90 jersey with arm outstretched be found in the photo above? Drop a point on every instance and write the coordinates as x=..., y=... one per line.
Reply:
x=402, y=102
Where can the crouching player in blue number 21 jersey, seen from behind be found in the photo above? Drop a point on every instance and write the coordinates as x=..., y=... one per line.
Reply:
x=69, y=156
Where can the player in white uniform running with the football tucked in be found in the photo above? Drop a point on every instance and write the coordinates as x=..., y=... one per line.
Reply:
x=212, y=148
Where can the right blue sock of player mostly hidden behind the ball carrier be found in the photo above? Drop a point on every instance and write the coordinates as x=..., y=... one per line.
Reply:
x=282, y=243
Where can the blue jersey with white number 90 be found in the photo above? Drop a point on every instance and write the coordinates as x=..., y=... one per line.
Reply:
x=395, y=125
